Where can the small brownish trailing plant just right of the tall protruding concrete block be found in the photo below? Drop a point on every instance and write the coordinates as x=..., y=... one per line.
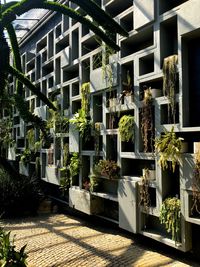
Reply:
x=144, y=192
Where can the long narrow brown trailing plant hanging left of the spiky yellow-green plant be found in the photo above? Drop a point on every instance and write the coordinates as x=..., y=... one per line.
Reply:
x=147, y=125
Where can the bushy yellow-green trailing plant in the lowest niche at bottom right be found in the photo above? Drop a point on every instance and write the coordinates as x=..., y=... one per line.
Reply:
x=170, y=216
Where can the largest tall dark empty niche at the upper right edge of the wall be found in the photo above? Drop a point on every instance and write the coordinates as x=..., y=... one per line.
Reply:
x=191, y=82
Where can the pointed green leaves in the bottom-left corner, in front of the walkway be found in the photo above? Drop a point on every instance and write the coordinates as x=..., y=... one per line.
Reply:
x=9, y=256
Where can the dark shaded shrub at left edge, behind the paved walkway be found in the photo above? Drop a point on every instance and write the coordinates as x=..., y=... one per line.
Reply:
x=19, y=195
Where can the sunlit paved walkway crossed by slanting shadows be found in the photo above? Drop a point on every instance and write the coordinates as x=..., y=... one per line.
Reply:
x=63, y=240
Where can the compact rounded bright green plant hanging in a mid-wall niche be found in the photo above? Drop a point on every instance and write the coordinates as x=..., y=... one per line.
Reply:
x=126, y=128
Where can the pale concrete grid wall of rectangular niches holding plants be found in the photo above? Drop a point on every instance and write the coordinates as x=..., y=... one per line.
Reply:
x=59, y=55
